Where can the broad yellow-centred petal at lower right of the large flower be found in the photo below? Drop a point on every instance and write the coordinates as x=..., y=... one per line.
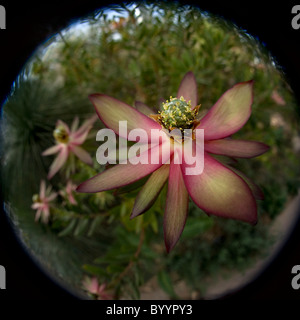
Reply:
x=221, y=192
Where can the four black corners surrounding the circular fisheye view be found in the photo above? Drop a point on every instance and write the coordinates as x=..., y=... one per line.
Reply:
x=30, y=23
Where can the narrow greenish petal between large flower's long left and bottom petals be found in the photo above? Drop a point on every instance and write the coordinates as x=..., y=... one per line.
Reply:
x=150, y=191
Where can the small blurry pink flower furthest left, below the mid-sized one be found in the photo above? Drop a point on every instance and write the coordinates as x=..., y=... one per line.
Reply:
x=41, y=202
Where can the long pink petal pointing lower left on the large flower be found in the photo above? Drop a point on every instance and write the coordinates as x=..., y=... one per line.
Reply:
x=124, y=174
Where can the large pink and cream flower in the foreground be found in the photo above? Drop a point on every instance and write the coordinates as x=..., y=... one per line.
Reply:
x=219, y=190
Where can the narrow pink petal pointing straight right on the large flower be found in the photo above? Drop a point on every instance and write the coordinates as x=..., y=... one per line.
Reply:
x=236, y=148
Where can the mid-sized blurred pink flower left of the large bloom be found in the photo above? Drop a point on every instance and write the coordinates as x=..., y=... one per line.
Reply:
x=68, y=140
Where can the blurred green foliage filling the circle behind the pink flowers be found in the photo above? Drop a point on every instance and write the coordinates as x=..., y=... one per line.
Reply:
x=141, y=52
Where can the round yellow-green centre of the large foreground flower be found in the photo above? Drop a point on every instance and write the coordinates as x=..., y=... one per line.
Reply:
x=178, y=113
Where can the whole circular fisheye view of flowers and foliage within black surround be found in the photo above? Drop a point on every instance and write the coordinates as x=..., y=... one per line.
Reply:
x=151, y=152
